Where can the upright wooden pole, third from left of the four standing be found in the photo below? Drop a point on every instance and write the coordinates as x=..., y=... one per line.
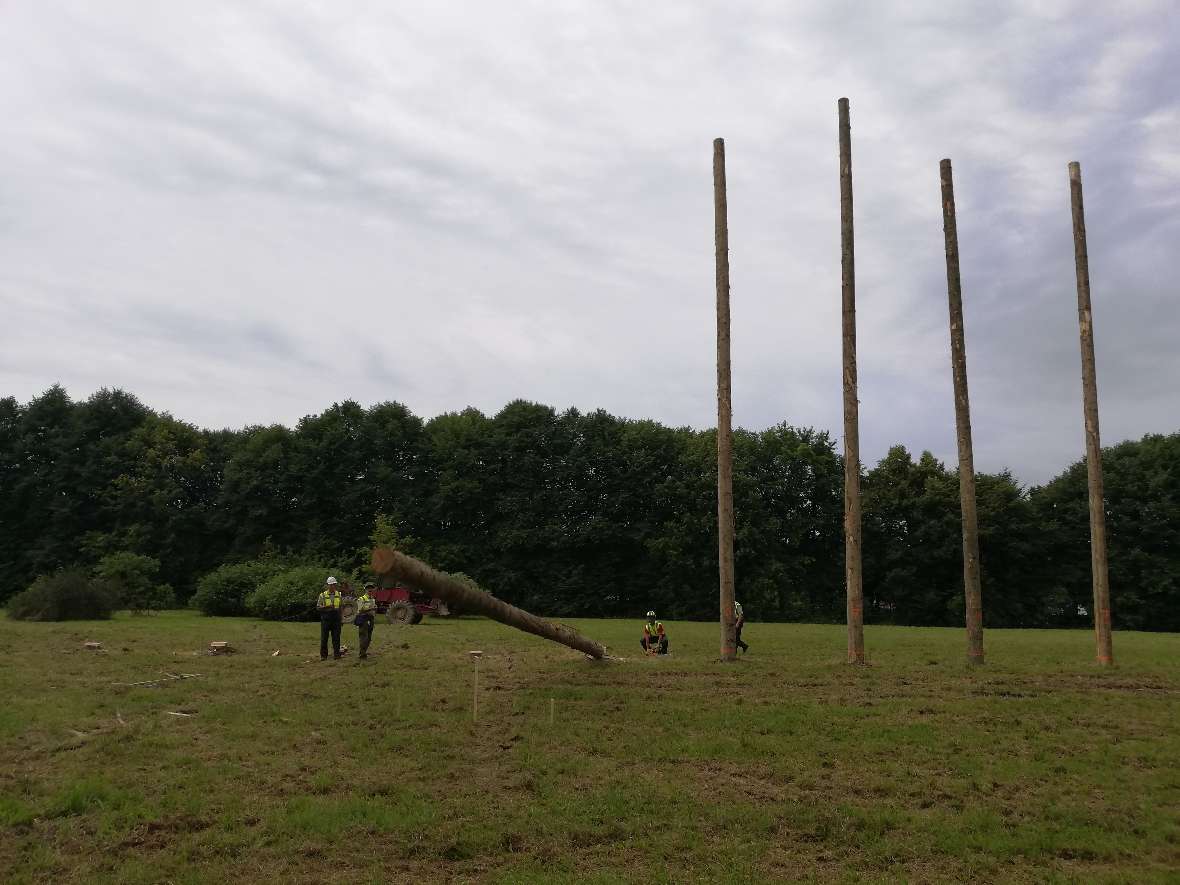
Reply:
x=972, y=592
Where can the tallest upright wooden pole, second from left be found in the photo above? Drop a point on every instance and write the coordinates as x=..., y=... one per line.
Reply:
x=851, y=405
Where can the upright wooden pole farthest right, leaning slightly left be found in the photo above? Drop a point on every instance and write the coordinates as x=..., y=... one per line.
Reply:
x=1091, y=411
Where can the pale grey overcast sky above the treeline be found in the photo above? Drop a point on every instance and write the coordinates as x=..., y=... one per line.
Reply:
x=245, y=212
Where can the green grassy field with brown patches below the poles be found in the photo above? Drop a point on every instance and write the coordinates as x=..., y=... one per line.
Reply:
x=786, y=766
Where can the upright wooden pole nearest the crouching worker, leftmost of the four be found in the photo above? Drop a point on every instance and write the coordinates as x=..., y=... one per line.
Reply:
x=725, y=410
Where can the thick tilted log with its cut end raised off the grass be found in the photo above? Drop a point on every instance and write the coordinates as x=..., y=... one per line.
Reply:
x=418, y=574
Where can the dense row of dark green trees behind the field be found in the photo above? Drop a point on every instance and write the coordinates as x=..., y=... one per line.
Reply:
x=574, y=514
